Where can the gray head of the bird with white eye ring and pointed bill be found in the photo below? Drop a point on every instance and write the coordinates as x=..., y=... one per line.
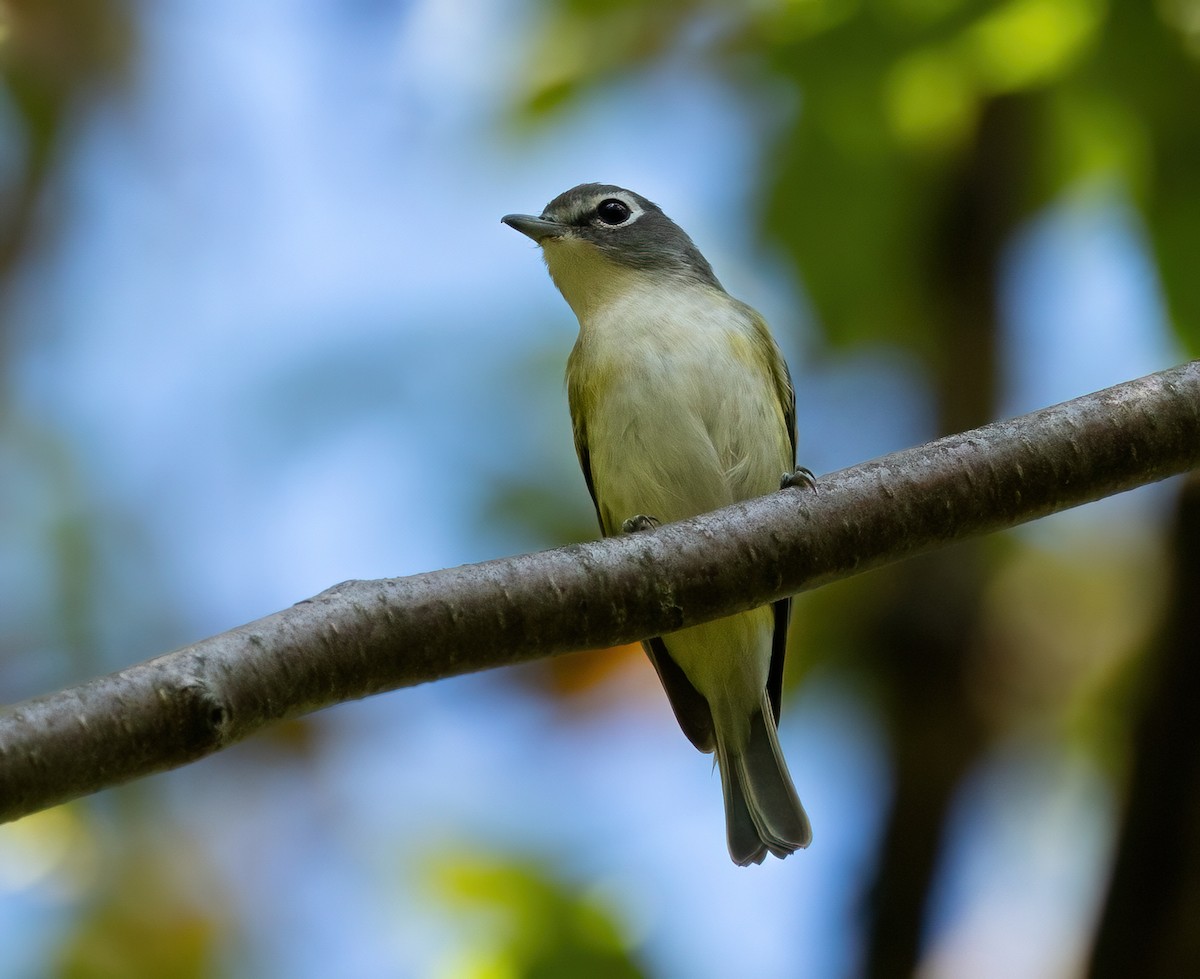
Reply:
x=599, y=221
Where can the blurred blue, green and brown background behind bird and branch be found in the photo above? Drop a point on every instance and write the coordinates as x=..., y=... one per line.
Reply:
x=262, y=332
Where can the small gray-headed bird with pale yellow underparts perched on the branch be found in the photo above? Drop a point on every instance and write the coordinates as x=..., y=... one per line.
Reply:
x=681, y=404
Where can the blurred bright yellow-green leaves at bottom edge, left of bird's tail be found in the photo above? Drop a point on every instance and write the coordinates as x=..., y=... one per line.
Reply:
x=526, y=924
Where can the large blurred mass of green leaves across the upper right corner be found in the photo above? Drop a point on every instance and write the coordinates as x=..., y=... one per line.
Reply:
x=892, y=95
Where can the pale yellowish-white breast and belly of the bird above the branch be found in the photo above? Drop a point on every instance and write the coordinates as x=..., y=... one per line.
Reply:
x=680, y=405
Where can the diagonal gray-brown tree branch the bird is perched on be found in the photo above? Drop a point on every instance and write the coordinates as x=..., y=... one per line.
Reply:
x=363, y=638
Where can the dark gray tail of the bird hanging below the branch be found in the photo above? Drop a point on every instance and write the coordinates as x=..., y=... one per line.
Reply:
x=763, y=812
